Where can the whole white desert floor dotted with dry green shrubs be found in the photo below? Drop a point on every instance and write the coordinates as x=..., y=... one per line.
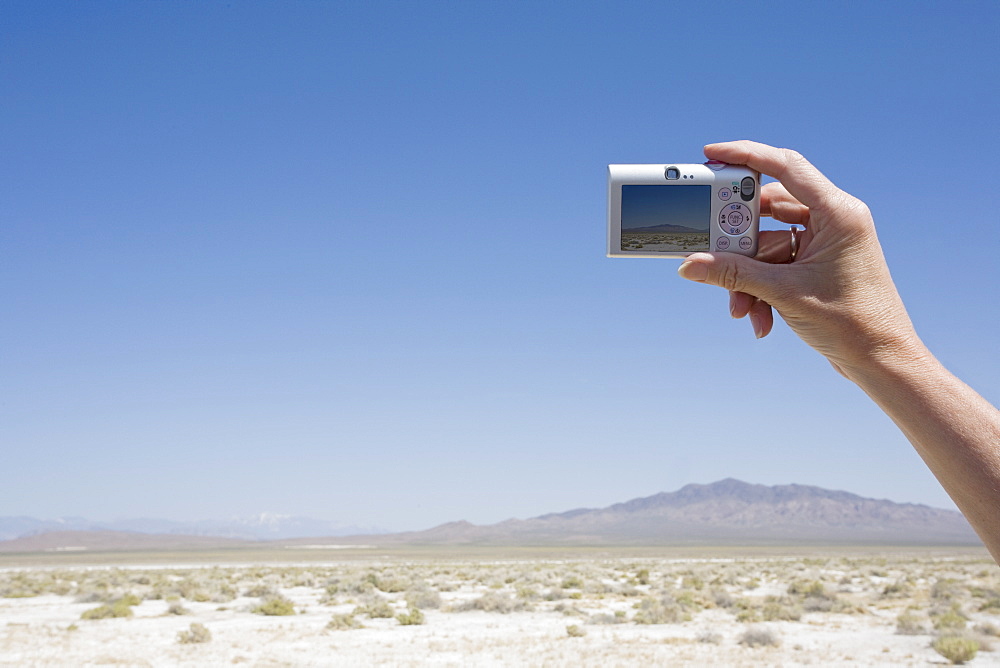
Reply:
x=851, y=609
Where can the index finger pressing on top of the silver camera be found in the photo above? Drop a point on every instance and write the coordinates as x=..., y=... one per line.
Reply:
x=806, y=183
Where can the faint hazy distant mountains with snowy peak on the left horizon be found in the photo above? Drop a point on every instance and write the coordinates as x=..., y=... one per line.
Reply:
x=265, y=526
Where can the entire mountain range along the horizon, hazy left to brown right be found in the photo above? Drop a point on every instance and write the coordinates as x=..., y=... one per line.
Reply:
x=725, y=512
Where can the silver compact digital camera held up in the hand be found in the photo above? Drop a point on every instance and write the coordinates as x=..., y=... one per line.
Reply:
x=666, y=210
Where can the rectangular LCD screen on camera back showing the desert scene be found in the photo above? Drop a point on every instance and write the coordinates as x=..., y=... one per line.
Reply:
x=666, y=218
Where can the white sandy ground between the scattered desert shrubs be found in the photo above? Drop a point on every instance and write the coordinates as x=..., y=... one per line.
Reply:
x=47, y=629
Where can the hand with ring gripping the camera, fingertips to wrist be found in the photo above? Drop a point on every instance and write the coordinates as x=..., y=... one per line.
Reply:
x=837, y=294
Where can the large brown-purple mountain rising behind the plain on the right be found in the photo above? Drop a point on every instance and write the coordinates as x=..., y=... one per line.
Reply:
x=725, y=512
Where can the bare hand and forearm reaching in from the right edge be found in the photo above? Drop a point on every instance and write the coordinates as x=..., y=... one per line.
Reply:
x=839, y=297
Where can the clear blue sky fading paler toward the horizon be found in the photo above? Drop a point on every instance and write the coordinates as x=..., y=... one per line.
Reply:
x=346, y=259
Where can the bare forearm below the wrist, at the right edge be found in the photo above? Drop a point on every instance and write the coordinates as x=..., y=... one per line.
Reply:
x=955, y=431
